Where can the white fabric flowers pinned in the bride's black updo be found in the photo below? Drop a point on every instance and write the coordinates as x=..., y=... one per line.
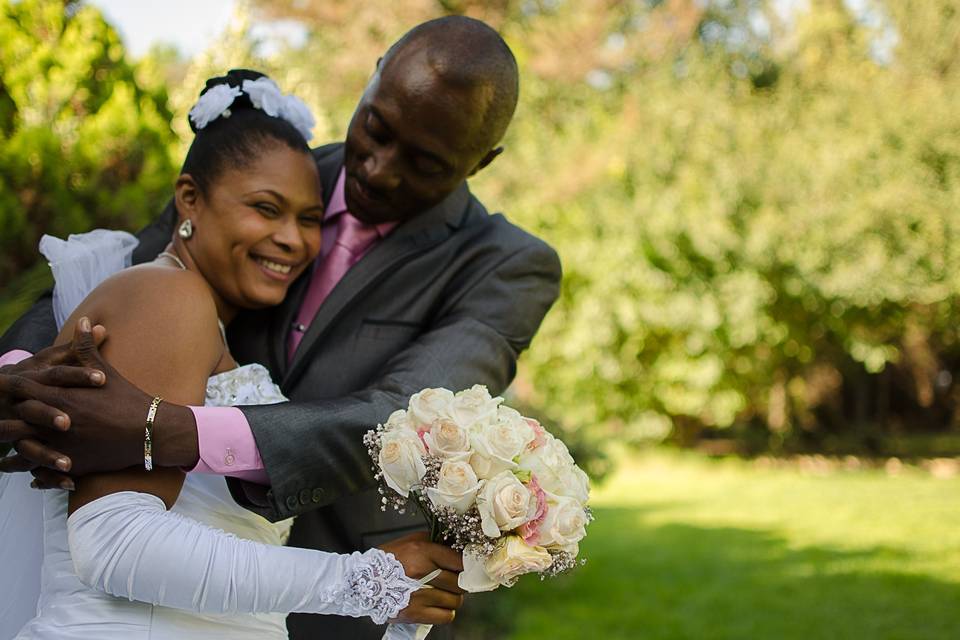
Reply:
x=264, y=95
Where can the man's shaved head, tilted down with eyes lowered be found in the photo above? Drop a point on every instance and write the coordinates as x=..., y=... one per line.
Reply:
x=431, y=116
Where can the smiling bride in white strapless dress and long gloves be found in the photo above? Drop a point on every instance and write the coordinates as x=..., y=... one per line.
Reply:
x=157, y=553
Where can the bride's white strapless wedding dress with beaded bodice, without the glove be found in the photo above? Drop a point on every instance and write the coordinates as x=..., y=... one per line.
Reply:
x=68, y=610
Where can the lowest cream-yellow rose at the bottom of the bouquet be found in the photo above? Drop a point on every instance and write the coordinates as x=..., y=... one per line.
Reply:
x=512, y=559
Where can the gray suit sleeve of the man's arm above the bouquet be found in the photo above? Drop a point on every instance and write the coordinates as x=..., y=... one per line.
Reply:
x=316, y=449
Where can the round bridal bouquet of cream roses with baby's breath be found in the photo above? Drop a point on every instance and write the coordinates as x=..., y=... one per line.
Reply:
x=494, y=484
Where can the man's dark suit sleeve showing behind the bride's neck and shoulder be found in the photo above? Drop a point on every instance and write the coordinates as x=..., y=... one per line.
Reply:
x=37, y=329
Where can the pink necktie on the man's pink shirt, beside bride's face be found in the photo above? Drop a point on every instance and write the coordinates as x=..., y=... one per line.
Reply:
x=353, y=239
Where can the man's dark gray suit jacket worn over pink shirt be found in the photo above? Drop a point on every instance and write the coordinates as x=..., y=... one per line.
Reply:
x=449, y=298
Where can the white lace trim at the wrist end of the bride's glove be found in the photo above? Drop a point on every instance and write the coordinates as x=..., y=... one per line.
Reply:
x=377, y=586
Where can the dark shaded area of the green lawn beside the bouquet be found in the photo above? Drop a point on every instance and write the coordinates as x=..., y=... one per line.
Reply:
x=676, y=581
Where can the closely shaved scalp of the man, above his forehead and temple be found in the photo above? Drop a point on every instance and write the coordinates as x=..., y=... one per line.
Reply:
x=465, y=54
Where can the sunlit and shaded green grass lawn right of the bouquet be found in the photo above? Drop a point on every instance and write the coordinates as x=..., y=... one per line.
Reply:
x=686, y=547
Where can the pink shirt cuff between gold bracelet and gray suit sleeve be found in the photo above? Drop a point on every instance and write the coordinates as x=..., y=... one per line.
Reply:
x=227, y=447
